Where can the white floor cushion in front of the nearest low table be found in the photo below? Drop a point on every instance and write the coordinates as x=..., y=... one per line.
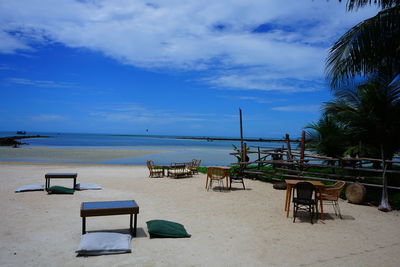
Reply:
x=102, y=243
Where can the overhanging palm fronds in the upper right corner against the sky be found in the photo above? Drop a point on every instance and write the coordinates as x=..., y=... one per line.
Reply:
x=370, y=47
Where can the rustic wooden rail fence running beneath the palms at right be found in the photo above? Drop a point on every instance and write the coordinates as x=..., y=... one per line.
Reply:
x=297, y=164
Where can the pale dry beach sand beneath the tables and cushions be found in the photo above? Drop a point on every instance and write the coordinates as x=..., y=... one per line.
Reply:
x=232, y=228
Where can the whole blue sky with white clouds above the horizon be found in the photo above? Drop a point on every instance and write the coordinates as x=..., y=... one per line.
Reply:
x=176, y=67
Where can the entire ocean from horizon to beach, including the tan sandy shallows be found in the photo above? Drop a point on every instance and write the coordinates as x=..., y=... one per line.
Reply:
x=108, y=148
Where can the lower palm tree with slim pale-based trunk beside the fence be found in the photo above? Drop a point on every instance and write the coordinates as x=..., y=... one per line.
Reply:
x=371, y=113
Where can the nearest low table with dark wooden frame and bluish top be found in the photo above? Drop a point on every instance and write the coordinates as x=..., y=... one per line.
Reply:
x=105, y=208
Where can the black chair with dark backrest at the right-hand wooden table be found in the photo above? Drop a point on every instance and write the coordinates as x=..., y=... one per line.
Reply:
x=303, y=199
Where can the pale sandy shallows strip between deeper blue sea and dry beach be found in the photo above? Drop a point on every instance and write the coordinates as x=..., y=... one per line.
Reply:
x=116, y=155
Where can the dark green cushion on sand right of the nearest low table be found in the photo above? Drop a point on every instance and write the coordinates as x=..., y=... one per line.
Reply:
x=162, y=228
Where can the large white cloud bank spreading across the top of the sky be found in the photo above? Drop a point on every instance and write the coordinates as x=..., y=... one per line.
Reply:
x=190, y=35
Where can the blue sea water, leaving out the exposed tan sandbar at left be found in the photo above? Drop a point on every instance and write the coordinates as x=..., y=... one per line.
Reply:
x=175, y=150
